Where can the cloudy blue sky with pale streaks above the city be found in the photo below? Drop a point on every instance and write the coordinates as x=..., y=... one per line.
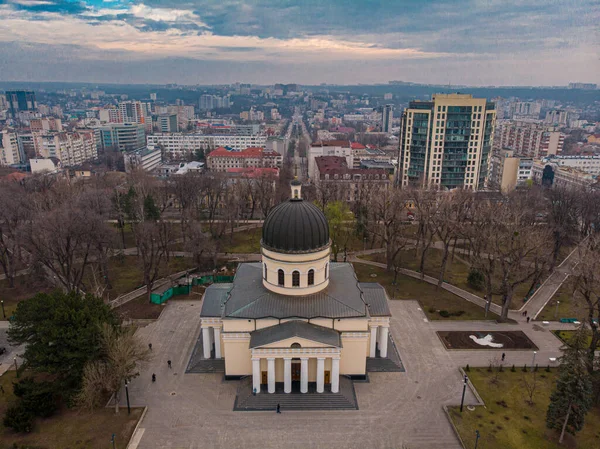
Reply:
x=467, y=42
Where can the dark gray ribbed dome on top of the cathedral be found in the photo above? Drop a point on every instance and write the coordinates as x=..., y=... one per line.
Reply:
x=295, y=226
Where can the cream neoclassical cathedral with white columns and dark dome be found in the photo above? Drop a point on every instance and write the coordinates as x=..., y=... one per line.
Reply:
x=295, y=318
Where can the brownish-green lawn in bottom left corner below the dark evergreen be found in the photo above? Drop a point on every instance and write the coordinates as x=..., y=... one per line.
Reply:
x=69, y=428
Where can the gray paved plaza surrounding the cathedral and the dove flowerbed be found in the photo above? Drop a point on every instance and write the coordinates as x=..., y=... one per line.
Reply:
x=196, y=410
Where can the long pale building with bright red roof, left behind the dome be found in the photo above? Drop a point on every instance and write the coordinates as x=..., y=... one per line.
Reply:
x=222, y=159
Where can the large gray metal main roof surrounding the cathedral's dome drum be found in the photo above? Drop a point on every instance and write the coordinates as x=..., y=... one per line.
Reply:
x=250, y=299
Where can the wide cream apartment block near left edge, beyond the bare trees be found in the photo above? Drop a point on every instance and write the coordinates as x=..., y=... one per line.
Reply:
x=70, y=148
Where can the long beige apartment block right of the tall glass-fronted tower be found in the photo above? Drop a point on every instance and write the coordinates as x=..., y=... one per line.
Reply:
x=528, y=139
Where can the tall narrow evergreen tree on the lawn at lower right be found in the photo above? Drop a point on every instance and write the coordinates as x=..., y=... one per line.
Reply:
x=572, y=397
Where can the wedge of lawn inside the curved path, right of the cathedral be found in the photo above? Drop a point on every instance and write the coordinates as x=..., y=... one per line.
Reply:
x=431, y=299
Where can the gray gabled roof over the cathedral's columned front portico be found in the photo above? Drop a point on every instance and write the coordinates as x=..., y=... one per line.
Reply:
x=295, y=328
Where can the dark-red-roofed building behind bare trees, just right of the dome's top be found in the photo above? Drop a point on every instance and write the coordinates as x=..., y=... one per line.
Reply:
x=344, y=182
